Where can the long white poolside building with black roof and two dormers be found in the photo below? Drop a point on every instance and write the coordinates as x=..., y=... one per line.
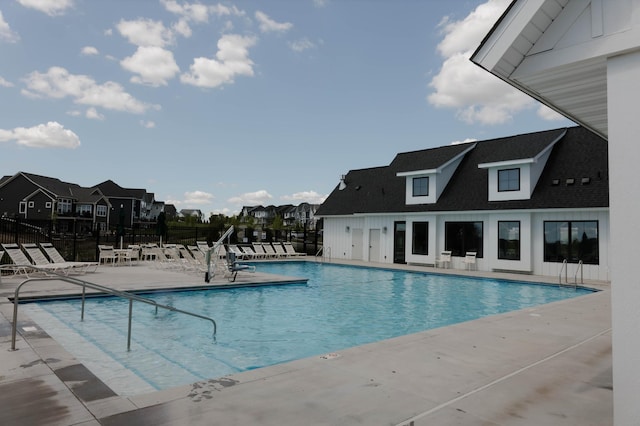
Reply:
x=524, y=204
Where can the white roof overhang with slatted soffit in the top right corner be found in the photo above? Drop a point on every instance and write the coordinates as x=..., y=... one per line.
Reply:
x=556, y=52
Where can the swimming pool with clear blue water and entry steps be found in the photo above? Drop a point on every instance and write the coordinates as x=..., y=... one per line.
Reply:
x=339, y=307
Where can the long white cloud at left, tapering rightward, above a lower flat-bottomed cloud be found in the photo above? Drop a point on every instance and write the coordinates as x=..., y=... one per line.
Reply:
x=58, y=83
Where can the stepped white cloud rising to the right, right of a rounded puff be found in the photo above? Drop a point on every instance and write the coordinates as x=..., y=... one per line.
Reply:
x=232, y=59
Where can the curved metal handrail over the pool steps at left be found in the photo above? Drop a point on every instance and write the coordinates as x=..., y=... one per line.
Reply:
x=130, y=296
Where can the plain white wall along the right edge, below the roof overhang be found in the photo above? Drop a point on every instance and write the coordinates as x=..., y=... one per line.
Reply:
x=623, y=91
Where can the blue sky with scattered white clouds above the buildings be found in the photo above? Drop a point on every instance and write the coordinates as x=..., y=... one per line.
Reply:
x=217, y=105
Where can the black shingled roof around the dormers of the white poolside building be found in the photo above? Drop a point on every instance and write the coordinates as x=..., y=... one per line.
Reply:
x=578, y=154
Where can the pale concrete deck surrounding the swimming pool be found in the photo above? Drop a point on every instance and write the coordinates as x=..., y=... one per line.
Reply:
x=548, y=365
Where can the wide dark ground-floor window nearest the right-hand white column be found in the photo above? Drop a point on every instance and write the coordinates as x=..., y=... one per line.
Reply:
x=571, y=240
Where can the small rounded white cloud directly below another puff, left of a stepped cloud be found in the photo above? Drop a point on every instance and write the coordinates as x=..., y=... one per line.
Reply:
x=154, y=66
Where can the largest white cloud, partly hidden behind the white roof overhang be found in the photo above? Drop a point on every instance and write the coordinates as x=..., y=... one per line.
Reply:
x=476, y=95
